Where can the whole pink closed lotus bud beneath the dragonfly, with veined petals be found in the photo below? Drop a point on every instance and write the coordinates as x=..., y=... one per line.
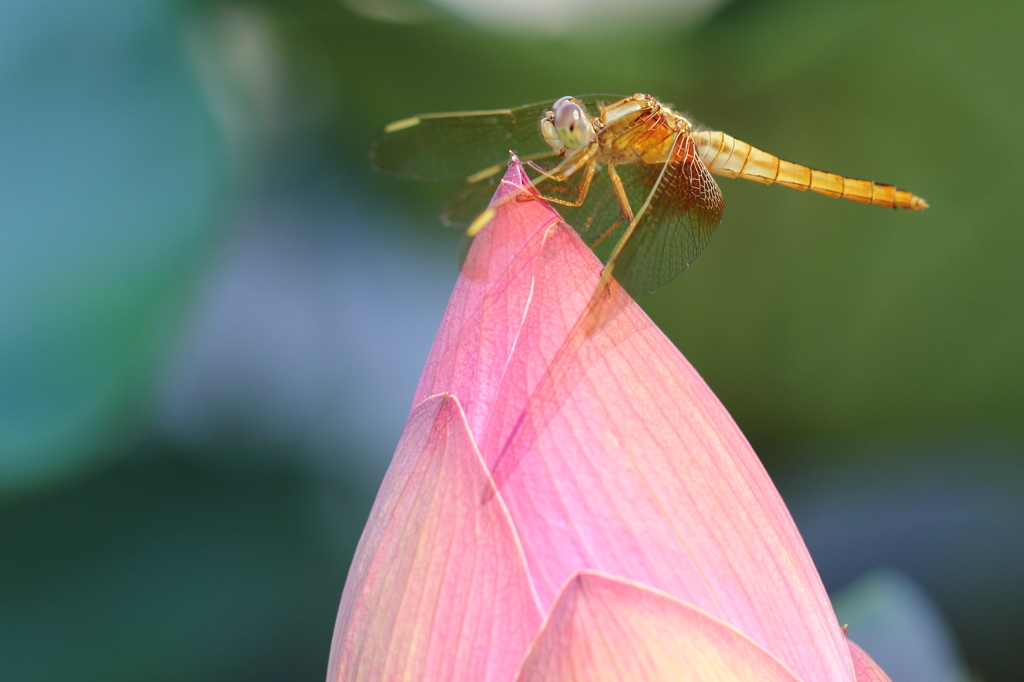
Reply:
x=570, y=501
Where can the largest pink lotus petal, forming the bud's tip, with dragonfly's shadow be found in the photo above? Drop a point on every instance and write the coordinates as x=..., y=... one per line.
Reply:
x=608, y=448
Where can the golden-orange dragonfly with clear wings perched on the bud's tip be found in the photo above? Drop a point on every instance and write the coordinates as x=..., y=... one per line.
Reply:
x=631, y=170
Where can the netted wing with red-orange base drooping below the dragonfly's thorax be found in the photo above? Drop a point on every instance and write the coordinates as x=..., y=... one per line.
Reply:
x=685, y=211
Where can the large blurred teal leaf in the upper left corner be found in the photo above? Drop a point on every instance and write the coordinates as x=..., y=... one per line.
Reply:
x=111, y=177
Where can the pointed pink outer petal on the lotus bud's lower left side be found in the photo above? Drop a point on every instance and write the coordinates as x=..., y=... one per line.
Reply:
x=439, y=589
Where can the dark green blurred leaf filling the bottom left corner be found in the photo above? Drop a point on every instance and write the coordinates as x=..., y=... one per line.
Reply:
x=162, y=570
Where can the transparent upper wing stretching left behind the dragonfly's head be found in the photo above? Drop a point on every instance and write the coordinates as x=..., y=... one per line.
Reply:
x=455, y=147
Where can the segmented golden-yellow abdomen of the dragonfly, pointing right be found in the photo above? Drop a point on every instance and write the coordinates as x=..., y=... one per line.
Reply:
x=728, y=156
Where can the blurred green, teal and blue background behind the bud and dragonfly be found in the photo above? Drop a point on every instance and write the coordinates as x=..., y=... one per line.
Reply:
x=214, y=315
